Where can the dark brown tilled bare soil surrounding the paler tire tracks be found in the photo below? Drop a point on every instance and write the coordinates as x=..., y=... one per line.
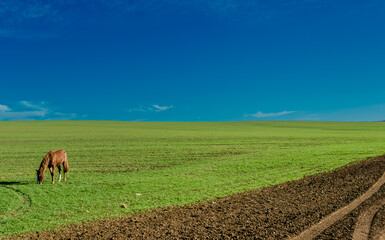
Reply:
x=277, y=212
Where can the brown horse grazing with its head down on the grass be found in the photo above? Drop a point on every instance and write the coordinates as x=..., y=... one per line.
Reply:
x=51, y=160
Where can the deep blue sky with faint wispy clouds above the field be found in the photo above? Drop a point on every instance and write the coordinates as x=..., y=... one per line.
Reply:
x=179, y=60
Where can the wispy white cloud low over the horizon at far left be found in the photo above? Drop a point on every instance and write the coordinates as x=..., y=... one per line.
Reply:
x=33, y=111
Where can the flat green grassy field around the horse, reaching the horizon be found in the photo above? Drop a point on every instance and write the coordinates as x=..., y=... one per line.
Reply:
x=149, y=165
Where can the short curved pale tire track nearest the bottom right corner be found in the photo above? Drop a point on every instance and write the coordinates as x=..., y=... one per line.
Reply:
x=364, y=222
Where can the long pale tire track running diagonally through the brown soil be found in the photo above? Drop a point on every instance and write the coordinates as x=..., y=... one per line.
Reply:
x=331, y=219
